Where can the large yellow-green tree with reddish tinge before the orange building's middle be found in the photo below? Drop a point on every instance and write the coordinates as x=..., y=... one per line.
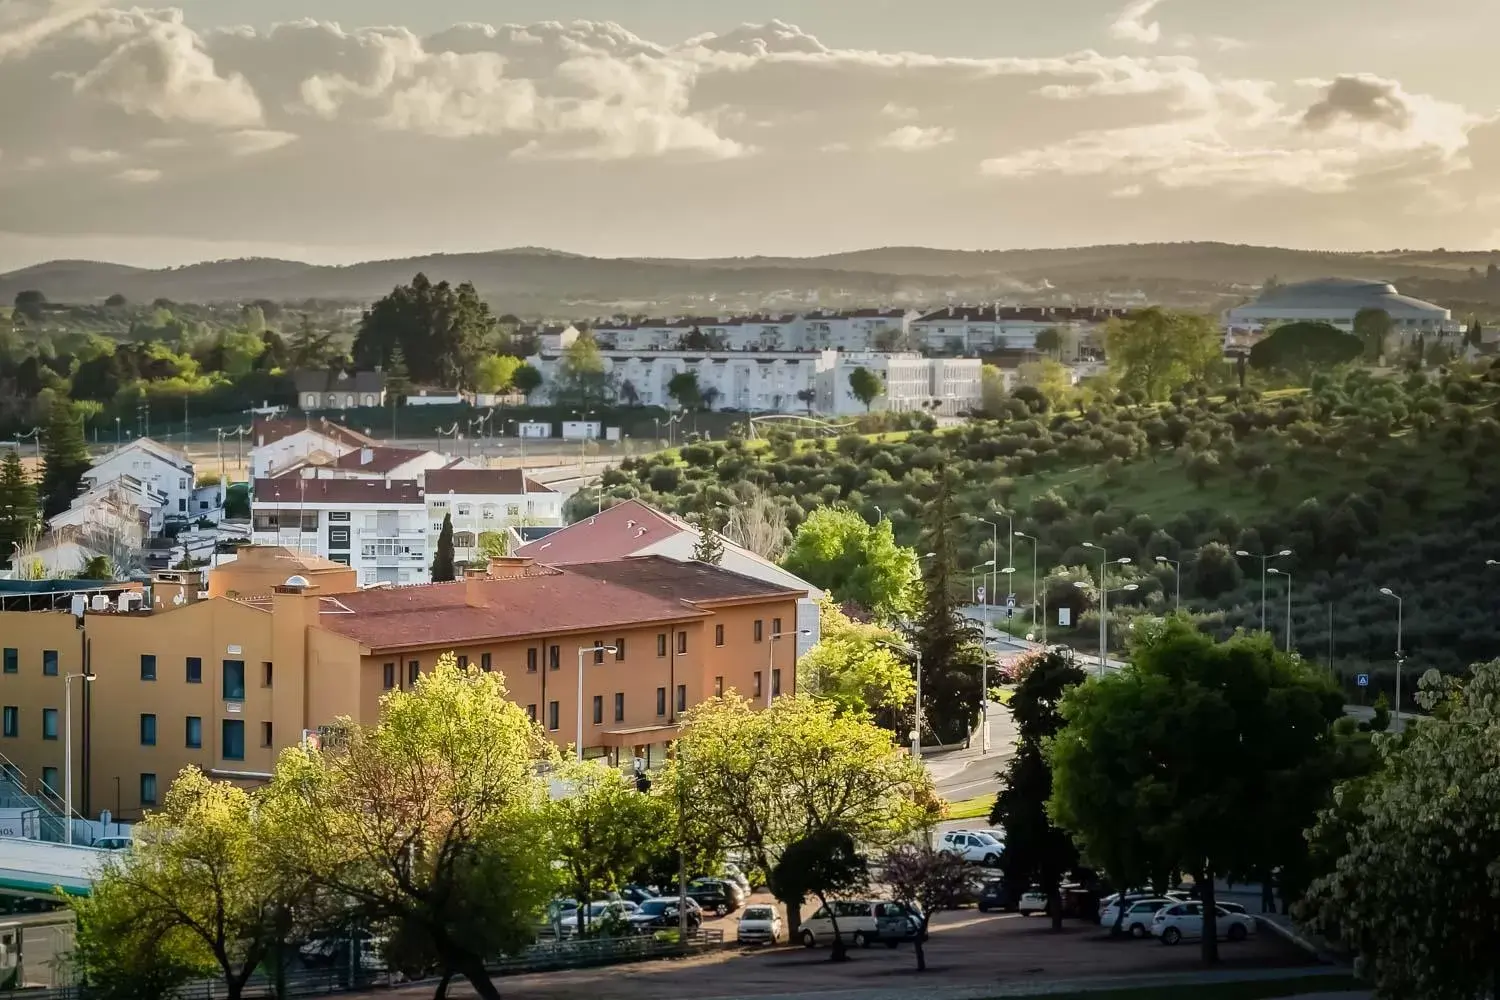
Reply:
x=433, y=822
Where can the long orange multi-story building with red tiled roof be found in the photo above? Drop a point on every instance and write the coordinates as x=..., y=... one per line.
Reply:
x=226, y=683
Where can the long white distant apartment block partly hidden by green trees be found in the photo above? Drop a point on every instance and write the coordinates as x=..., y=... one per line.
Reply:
x=760, y=382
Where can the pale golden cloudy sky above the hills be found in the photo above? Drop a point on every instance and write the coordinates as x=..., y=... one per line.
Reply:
x=337, y=131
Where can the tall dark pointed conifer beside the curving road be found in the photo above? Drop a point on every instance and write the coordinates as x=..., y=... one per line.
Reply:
x=953, y=657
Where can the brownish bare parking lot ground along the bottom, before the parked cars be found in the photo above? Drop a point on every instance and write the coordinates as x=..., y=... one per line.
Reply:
x=967, y=950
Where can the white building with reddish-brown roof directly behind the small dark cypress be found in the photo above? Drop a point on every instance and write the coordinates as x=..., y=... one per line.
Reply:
x=487, y=501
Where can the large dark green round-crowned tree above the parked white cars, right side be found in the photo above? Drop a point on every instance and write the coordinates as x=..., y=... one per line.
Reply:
x=1234, y=728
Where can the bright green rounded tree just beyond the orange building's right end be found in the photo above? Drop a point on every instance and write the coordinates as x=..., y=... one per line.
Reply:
x=839, y=551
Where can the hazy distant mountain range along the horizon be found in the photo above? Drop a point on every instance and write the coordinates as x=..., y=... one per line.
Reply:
x=551, y=281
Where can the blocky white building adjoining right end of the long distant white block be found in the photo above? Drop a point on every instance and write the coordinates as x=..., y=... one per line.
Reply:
x=944, y=388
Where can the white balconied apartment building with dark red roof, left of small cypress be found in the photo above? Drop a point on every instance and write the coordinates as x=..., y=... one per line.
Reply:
x=379, y=527
